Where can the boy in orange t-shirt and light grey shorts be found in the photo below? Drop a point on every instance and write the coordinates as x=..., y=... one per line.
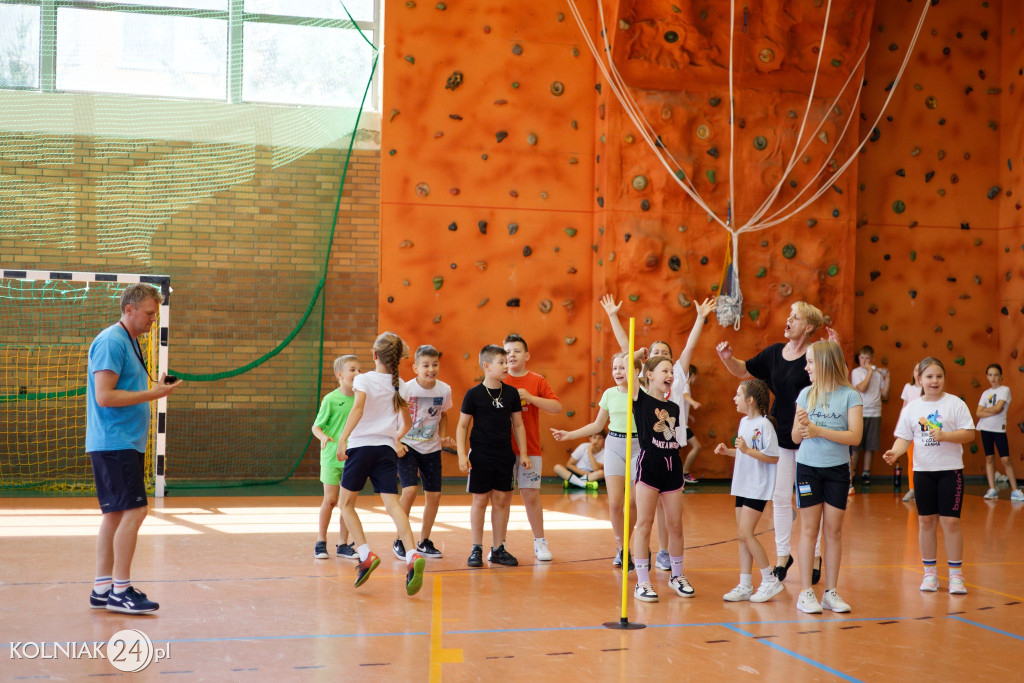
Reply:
x=536, y=397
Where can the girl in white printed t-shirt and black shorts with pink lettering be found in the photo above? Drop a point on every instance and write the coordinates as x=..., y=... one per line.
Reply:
x=938, y=424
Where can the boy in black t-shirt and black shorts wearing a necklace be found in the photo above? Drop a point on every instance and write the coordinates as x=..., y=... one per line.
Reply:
x=494, y=410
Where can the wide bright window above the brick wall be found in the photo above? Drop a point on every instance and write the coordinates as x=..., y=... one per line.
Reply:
x=280, y=52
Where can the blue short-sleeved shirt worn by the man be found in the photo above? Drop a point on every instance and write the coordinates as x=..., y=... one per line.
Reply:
x=116, y=429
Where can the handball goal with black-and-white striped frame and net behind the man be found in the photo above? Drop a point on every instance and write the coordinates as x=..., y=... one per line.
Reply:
x=48, y=323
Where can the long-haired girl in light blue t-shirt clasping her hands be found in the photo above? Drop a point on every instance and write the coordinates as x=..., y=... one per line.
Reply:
x=829, y=421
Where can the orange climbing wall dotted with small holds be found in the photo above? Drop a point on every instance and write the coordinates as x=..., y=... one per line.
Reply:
x=516, y=191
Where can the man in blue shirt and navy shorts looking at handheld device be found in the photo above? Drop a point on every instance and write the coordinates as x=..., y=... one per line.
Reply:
x=117, y=430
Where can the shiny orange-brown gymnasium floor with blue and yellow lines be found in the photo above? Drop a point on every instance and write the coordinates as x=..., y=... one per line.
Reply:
x=242, y=599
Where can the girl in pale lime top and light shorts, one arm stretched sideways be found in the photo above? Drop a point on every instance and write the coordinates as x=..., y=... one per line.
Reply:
x=615, y=407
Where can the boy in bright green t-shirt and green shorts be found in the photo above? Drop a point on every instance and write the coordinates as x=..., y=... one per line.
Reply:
x=327, y=428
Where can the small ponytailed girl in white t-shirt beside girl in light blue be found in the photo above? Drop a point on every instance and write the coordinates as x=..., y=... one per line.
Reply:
x=753, y=484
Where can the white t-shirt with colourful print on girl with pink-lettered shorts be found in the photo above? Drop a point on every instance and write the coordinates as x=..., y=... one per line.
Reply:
x=948, y=414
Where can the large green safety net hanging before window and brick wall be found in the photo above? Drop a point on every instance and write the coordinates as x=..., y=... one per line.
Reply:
x=238, y=202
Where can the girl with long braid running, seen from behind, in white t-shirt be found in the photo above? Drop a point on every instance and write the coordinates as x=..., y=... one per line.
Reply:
x=376, y=424
